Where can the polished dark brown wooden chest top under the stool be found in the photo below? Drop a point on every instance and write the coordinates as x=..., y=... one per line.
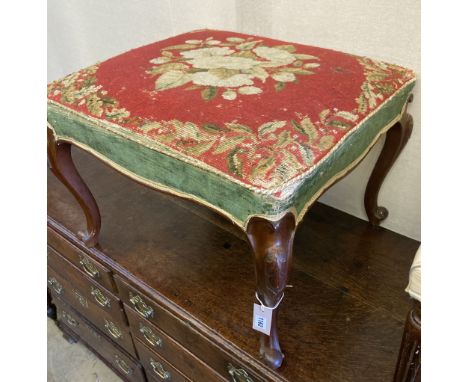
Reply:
x=341, y=320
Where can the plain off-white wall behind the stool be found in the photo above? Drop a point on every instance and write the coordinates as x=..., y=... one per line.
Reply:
x=81, y=32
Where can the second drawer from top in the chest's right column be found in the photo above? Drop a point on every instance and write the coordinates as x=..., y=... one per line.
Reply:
x=169, y=349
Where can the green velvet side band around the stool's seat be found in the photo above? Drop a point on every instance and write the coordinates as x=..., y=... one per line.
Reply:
x=238, y=202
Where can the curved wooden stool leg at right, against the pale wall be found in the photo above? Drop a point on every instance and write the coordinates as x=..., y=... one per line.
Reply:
x=395, y=140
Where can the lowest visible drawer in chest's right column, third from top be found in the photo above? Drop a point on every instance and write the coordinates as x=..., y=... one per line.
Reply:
x=157, y=367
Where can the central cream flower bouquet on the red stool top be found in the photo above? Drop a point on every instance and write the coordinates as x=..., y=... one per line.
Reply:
x=237, y=65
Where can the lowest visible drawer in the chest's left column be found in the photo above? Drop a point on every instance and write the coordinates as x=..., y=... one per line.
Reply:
x=125, y=365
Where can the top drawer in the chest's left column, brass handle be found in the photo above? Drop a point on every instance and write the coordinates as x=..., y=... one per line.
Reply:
x=81, y=260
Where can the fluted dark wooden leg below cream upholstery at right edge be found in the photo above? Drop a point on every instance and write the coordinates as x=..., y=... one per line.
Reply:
x=409, y=360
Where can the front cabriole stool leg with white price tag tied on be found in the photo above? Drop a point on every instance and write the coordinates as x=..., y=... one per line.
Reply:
x=272, y=246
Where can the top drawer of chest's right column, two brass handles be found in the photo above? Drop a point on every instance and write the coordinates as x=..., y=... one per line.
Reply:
x=183, y=333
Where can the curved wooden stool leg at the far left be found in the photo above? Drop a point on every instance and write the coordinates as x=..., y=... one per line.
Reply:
x=61, y=164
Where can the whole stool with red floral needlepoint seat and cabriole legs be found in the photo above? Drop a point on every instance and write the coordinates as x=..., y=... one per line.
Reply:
x=251, y=127
